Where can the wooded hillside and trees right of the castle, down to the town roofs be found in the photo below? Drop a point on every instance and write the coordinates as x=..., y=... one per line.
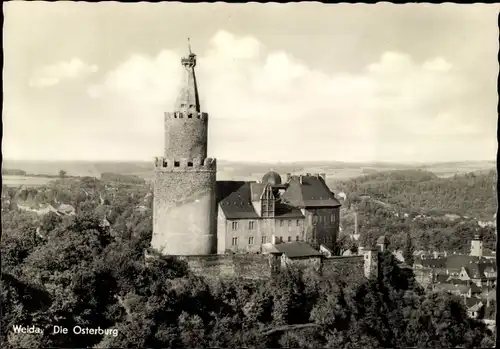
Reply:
x=399, y=203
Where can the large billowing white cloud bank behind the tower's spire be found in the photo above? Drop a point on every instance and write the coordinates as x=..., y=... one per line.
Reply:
x=262, y=102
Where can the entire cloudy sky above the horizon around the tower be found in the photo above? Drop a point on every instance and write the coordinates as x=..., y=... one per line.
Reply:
x=90, y=81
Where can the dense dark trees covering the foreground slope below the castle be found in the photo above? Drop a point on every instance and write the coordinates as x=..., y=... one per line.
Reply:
x=76, y=271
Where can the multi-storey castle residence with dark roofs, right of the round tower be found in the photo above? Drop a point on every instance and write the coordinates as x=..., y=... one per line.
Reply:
x=251, y=214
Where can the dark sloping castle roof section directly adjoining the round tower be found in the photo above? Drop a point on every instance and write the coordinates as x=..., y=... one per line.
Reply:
x=234, y=199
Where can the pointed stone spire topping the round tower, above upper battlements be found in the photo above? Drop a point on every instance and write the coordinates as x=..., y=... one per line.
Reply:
x=188, y=100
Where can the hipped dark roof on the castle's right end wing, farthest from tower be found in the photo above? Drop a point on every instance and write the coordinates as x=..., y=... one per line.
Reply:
x=312, y=192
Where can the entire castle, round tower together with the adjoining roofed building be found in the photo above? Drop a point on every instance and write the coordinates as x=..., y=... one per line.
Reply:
x=193, y=214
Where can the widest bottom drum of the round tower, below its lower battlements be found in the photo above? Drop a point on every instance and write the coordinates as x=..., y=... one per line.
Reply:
x=180, y=197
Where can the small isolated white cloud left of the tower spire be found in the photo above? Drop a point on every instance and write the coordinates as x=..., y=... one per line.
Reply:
x=53, y=74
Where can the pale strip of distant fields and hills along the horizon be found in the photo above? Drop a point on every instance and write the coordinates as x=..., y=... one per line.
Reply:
x=238, y=170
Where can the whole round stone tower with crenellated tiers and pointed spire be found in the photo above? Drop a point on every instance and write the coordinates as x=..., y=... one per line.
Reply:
x=184, y=207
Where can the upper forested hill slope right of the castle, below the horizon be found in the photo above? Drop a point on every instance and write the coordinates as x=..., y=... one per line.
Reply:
x=472, y=194
